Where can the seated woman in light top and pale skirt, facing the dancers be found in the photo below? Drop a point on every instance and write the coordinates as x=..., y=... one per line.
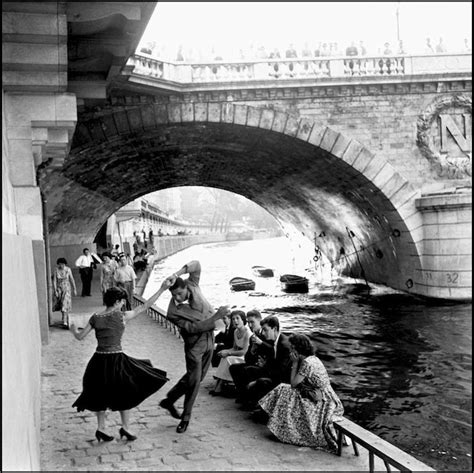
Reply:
x=234, y=355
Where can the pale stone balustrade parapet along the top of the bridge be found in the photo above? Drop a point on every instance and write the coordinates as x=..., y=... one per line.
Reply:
x=145, y=70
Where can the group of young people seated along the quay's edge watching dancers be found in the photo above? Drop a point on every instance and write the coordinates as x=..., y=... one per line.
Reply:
x=277, y=377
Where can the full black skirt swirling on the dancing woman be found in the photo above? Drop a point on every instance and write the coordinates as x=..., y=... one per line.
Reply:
x=118, y=382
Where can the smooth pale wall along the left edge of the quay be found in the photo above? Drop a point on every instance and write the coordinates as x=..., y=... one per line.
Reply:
x=21, y=340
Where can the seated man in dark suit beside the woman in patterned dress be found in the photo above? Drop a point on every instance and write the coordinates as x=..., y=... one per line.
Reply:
x=275, y=369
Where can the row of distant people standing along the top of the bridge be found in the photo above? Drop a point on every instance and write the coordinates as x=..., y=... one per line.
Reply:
x=305, y=51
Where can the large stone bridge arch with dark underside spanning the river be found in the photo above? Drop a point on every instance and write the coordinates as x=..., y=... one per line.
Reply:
x=313, y=179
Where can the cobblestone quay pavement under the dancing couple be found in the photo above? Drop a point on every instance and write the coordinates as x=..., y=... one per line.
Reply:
x=219, y=436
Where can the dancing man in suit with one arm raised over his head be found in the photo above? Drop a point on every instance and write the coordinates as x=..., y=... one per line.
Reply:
x=195, y=317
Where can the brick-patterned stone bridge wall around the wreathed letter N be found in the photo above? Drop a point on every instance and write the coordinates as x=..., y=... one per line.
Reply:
x=383, y=118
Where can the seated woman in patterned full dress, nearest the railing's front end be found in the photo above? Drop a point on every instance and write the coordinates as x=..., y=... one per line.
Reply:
x=302, y=413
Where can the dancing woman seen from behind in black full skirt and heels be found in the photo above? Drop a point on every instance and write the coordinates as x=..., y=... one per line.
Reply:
x=114, y=380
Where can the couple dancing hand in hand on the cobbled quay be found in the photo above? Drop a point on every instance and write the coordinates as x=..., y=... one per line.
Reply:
x=116, y=381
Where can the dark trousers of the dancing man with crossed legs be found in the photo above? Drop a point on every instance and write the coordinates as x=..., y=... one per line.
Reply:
x=198, y=359
